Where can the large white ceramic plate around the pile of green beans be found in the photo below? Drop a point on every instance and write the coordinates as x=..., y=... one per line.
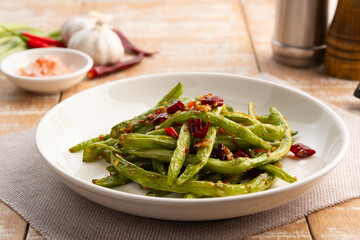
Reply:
x=96, y=110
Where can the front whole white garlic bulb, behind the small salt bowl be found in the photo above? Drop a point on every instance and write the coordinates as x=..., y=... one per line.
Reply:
x=100, y=42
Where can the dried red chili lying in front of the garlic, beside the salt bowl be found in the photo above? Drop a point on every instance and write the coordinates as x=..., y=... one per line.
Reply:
x=98, y=71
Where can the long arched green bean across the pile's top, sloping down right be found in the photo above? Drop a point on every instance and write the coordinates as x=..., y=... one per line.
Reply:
x=230, y=126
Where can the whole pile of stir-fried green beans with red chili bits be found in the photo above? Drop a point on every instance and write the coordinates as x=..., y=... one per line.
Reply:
x=199, y=148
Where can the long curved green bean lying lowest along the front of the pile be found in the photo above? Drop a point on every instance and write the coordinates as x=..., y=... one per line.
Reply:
x=158, y=181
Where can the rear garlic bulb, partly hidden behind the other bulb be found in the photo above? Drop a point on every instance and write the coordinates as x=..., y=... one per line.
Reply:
x=75, y=24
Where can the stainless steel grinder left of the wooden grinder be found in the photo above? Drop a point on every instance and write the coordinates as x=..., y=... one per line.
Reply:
x=300, y=30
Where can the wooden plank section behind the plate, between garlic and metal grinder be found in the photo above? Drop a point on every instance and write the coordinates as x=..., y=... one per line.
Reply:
x=196, y=36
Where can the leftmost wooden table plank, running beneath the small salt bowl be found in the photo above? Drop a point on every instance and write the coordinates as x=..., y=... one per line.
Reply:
x=20, y=110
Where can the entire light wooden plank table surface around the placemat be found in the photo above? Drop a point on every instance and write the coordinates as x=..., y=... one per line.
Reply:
x=231, y=36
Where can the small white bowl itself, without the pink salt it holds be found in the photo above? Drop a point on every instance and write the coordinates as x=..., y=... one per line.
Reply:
x=79, y=62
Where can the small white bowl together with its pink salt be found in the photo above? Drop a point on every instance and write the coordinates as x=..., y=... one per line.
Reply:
x=46, y=70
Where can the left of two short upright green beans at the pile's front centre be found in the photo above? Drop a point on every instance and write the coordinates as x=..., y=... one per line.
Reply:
x=178, y=157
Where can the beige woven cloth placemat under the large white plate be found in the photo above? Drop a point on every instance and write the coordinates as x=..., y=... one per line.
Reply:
x=37, y=194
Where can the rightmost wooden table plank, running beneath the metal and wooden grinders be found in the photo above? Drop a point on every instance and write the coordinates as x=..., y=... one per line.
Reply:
x=337, y=222
